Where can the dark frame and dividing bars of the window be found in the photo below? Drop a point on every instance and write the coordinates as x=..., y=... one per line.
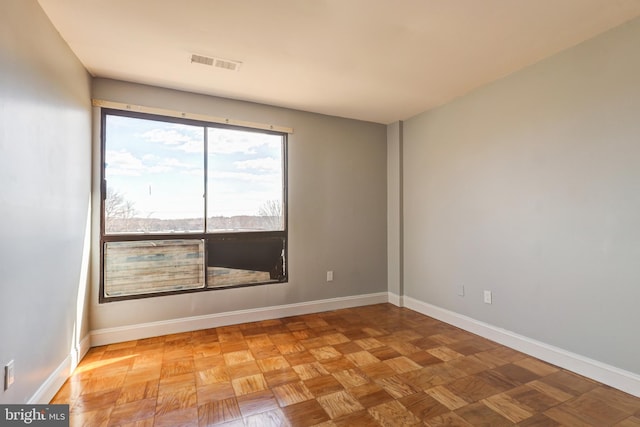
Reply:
x=208, y=237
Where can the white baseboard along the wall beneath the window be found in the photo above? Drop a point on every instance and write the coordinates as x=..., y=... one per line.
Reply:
x=186, y=324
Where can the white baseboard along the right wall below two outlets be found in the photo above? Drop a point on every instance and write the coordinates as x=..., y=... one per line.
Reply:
x=598, y=371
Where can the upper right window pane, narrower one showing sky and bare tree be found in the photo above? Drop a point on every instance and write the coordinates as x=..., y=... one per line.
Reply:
x=244, y=181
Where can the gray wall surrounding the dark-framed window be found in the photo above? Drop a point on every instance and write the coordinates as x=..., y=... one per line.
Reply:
x=337, y=210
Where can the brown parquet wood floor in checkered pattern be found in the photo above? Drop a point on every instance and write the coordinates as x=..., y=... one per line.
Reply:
x=378, y=365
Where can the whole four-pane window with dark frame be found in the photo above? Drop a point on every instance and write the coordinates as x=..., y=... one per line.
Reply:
x=189, y=206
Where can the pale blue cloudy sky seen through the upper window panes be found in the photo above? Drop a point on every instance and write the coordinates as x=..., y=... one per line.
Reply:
x=160, y=168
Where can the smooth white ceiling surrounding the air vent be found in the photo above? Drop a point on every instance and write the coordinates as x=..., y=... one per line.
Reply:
x=375, y=60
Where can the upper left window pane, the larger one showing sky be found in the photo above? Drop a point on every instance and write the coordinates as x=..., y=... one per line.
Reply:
x=155, y=176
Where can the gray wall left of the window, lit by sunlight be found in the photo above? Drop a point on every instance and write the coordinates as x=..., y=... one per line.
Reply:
x=45, y=176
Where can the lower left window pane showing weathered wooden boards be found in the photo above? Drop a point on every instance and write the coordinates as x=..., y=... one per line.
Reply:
x=150, y=266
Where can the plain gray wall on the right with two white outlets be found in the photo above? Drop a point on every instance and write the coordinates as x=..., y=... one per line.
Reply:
x=530, y=187
